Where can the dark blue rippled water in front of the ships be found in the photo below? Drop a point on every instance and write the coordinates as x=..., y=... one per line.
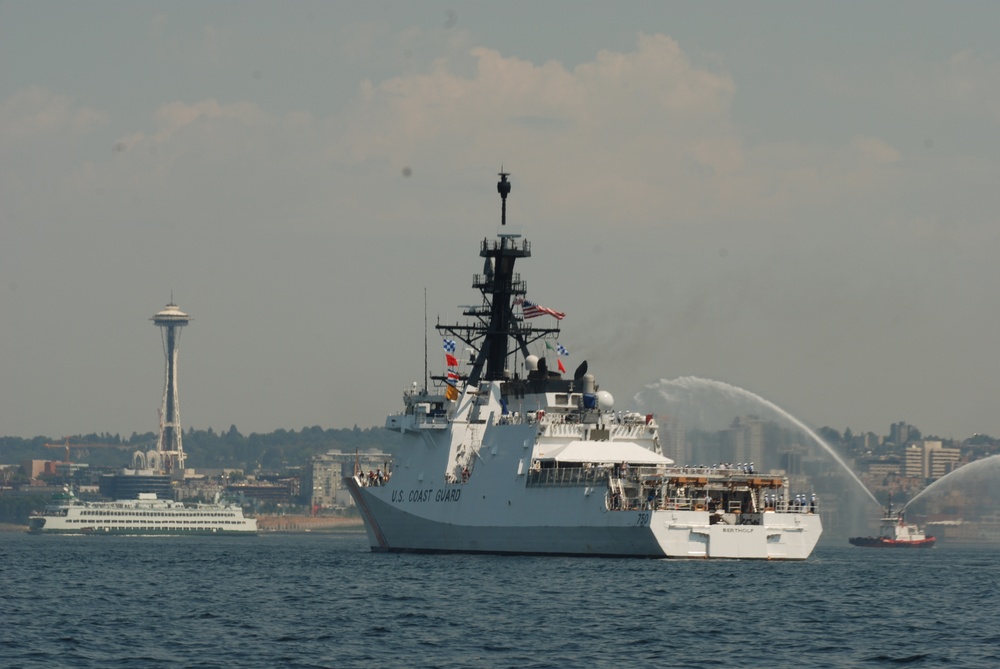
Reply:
x=323, y=600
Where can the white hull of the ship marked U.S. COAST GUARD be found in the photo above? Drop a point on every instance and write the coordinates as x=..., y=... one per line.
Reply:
x=506, y=507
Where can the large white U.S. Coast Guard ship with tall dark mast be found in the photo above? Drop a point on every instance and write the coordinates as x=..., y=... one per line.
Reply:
x=507, y=456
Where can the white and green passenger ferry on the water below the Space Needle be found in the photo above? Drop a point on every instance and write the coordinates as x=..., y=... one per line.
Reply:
x=145, y=515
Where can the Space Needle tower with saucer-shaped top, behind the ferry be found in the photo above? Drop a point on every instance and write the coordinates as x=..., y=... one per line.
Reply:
x=169, y=447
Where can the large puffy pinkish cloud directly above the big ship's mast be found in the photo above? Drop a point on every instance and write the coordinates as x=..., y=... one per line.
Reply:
x=639, y=124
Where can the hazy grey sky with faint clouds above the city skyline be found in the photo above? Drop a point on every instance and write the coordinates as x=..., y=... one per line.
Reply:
x=798, y=199
